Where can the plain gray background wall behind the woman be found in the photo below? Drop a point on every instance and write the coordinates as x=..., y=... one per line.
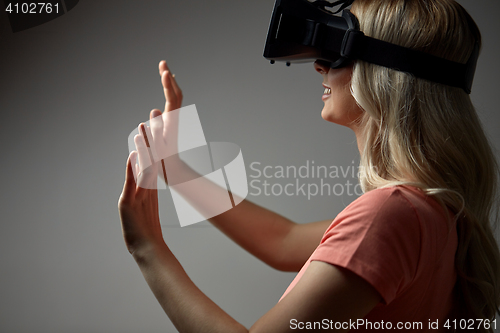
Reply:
x=73, y=89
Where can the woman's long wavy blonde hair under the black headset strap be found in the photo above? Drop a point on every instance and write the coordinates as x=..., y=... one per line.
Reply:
x=428, y=135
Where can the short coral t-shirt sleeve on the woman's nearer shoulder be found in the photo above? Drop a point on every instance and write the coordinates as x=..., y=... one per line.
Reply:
x=378, y=238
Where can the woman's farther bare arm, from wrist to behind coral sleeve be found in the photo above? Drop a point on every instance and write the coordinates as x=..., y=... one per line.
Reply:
x=274, y=239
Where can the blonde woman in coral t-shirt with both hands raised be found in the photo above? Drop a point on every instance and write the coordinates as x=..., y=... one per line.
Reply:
x=417, y=247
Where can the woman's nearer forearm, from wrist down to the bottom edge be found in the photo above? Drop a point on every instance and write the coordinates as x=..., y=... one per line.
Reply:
x=187, y=307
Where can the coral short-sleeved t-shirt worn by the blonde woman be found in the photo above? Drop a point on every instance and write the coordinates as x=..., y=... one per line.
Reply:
x=403, y=243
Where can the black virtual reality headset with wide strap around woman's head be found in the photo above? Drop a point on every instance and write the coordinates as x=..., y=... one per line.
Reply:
x=304, y=31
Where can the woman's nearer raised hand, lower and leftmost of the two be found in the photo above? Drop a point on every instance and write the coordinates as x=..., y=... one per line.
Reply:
x=138, y=203
